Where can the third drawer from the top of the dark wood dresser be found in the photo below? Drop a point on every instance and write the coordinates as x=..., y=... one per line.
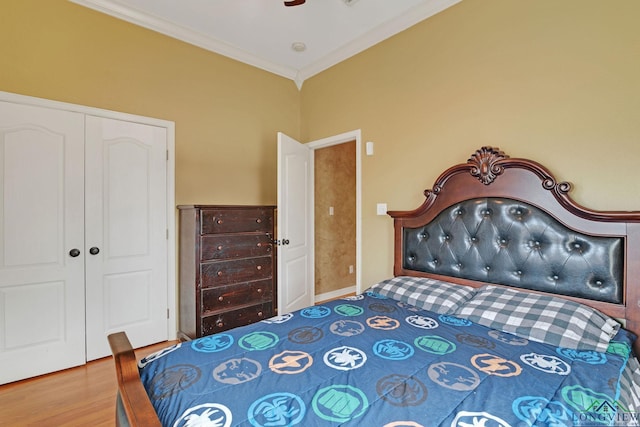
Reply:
x=218, y=273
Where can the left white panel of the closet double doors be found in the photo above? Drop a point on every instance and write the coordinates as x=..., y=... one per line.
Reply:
x=42, y=305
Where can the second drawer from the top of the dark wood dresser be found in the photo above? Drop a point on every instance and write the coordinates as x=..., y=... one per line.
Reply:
x=225, y=246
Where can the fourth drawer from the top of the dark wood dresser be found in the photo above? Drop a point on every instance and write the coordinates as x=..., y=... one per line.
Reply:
x=227, y=297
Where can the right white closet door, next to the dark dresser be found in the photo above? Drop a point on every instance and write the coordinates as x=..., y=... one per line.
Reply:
x=126, y=233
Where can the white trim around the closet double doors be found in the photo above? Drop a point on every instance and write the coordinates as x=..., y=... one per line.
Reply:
x=171, y=209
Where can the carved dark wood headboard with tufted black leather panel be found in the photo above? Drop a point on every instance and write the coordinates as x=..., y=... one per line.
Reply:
x=507, y=221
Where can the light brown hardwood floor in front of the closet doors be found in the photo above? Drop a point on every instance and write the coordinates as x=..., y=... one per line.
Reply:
x=82, y=396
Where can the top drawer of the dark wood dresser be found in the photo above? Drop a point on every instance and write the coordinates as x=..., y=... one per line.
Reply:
x=236, y=220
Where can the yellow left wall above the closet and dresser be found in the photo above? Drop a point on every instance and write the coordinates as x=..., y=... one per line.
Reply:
x=226, y=113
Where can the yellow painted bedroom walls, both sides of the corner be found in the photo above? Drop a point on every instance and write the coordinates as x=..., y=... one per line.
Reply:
x=555, y=81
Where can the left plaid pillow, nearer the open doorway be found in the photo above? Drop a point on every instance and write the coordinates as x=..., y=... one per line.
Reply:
x=428, y=294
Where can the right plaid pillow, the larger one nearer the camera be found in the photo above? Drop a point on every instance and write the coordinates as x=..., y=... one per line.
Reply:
x=541, y=318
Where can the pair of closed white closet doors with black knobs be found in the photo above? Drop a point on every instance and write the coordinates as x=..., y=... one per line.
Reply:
x=83, y=247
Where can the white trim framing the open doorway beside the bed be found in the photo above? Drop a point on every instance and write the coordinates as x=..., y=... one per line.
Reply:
x=336, y=140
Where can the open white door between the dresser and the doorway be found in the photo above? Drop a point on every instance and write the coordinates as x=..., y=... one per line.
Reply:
x=295, y=225
